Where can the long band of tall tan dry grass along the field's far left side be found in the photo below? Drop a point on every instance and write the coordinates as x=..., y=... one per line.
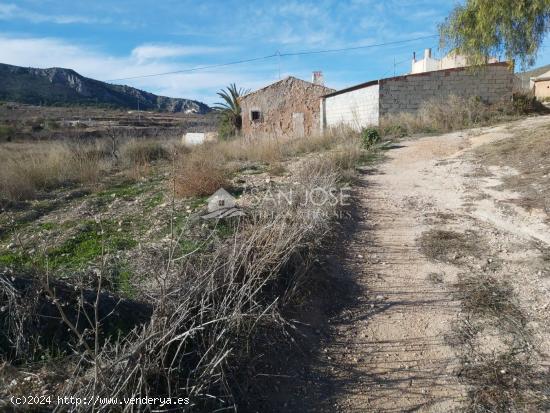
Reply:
x=28, y=168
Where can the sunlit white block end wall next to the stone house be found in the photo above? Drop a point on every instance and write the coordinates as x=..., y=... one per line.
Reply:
x=357, y=108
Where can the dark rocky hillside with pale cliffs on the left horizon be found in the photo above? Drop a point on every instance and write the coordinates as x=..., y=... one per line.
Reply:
x=57, y=86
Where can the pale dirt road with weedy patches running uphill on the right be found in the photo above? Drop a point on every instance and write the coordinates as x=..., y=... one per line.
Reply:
x=433, y=223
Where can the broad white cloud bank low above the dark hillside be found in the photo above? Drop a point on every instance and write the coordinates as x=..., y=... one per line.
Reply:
x=50, y=52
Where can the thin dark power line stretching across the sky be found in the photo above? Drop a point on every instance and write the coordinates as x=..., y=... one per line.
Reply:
x=277, y=54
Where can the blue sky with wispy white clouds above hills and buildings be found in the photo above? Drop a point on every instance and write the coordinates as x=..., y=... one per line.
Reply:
x=109, y=40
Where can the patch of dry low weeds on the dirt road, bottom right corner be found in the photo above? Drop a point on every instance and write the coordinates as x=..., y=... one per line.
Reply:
x=508, y=380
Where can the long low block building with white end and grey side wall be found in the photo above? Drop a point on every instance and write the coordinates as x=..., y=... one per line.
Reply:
x=364, y=104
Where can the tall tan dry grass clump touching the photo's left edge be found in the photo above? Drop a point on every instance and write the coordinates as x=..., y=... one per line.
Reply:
x=26, y=169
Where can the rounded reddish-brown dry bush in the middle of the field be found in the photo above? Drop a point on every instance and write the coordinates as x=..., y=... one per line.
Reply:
x=200, y=172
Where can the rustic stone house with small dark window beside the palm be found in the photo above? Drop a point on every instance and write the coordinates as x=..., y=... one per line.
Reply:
x=286, y=108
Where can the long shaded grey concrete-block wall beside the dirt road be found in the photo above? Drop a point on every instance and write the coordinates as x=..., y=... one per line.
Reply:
x=407, y=93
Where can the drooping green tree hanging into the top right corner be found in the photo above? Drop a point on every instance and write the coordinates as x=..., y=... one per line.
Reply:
x=483, y=28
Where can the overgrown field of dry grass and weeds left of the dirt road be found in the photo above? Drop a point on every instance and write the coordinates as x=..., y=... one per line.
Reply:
x=106, y=237
